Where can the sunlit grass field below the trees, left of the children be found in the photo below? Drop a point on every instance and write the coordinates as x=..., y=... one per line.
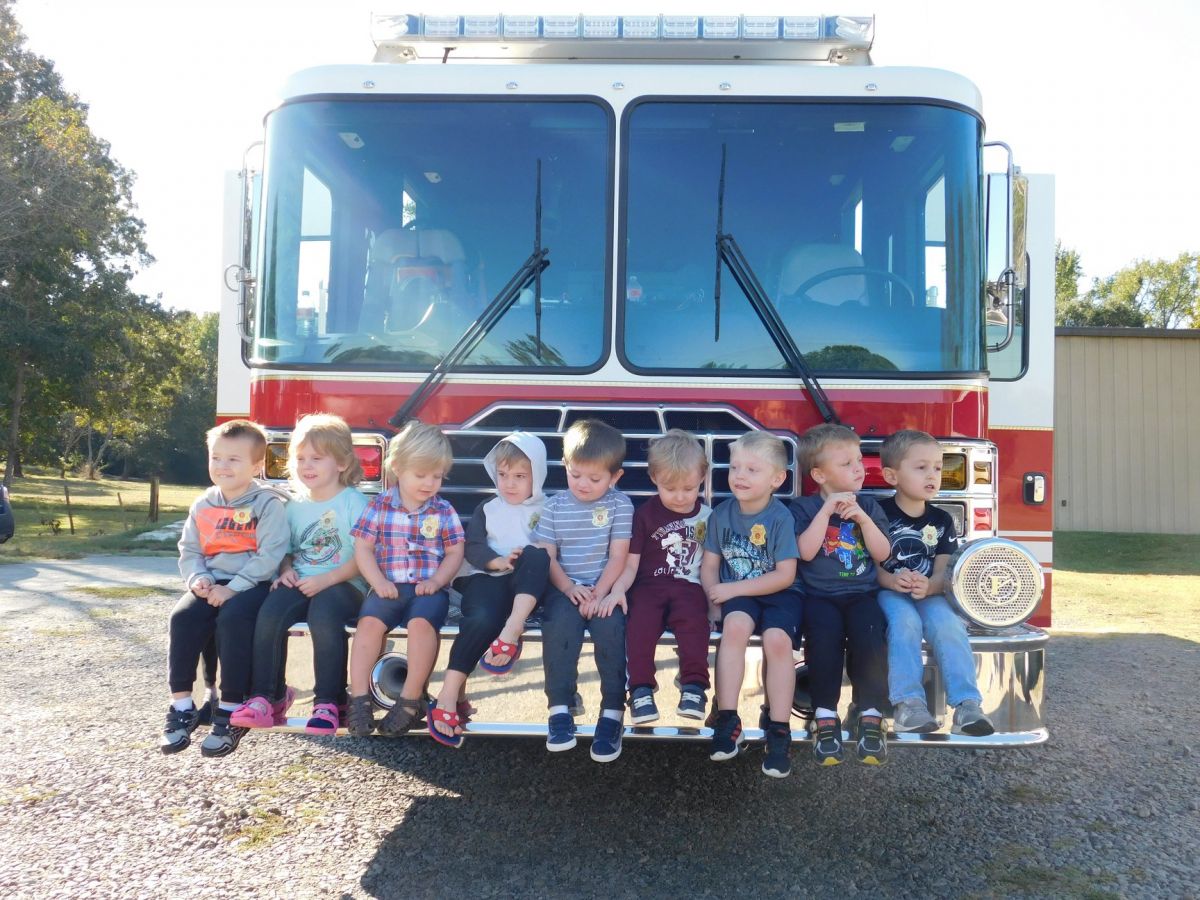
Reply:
x=103, y=523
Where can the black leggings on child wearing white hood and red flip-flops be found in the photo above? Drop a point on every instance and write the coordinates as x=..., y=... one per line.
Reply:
x=488, y=604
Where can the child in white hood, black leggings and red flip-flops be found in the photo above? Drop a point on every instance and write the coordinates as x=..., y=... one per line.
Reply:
x=501, y=581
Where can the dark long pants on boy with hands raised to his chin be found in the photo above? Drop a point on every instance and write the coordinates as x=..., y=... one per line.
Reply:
x=832, y=625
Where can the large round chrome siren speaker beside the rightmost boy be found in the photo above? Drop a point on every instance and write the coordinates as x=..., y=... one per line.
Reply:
x=994, y=583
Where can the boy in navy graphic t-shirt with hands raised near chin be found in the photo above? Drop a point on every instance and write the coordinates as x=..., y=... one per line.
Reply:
x=842, y=536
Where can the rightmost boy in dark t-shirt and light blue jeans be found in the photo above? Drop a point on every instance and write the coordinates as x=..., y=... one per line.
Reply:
x=922, y=541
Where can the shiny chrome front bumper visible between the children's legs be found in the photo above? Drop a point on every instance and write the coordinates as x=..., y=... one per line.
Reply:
x=1010, y=669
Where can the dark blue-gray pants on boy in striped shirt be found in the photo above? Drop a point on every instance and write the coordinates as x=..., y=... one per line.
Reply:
x=562, y=639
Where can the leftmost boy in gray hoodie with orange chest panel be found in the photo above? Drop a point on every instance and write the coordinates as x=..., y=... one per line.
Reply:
x=235, y=539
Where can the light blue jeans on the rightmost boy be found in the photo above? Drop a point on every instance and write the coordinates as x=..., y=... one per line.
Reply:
x=934, y=620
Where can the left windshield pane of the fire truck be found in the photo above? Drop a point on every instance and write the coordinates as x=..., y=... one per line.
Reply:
x=389, y=225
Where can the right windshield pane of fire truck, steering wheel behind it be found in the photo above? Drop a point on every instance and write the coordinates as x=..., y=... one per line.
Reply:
x=860, y=220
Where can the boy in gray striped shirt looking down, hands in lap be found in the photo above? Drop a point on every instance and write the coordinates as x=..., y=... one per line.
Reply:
x=586, y=531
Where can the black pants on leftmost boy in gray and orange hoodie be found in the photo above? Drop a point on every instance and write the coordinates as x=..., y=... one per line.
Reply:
x=195, y=625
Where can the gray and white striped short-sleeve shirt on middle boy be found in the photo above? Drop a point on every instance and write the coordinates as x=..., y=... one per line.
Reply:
x=583, y=532
